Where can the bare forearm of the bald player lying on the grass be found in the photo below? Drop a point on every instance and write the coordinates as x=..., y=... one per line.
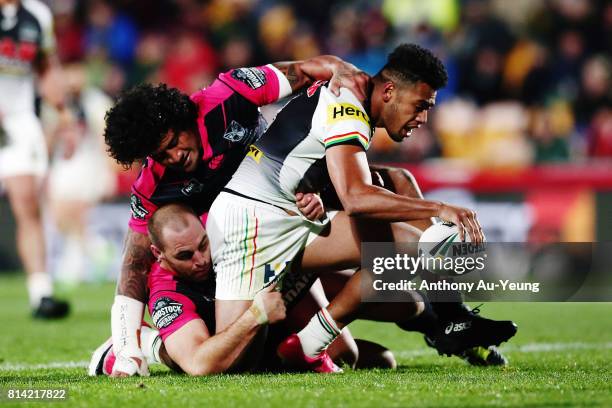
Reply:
x=219, y=353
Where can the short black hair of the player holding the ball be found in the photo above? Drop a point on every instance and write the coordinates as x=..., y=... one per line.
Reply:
x=411, y=63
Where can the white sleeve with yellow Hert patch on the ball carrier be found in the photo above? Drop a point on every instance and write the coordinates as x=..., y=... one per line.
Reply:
x=345, y=121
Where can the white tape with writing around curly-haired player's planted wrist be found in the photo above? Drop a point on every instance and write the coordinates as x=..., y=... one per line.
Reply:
x=126, y=317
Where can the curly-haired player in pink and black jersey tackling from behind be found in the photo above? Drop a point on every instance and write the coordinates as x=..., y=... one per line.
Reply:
x=191, y=147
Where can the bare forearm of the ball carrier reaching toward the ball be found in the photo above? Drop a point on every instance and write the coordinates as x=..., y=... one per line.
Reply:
x=375, y=202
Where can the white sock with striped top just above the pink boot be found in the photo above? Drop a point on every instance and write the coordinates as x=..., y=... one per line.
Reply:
x=319, y=333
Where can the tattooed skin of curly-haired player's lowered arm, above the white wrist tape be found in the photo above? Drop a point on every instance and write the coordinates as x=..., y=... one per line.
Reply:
x=137, y=260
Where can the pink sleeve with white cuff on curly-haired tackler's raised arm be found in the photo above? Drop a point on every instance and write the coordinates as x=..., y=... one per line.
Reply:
x=260, y=85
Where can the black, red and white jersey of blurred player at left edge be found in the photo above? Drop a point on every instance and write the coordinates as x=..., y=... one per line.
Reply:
x=26, y=31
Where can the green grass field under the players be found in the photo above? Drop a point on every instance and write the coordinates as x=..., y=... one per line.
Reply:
x=561, y=356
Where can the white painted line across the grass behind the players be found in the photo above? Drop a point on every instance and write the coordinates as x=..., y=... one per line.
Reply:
x=525, y=348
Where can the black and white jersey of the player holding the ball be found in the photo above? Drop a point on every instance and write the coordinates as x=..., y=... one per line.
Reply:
x=290, y=156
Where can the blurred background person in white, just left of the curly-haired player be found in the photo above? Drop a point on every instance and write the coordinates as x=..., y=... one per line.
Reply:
x=78, y=183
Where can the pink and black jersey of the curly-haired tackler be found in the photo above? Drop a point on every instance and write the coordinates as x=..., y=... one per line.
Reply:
x=228, y=121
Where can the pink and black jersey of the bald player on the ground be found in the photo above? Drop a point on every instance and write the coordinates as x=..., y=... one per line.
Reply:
x=174, y=302
